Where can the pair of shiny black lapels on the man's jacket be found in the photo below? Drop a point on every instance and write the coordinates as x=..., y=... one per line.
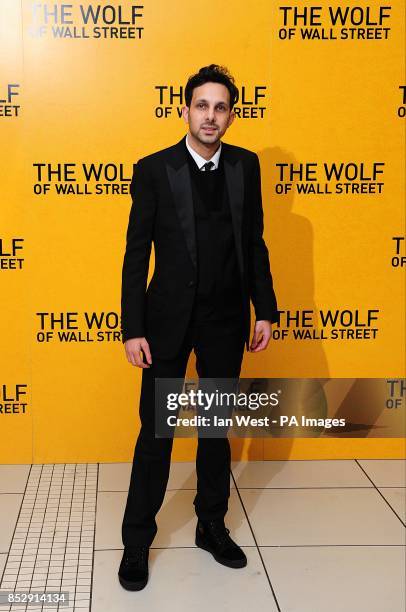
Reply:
x=178, y=173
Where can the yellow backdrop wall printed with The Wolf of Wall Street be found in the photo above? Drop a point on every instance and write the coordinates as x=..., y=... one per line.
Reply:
x=85, y=92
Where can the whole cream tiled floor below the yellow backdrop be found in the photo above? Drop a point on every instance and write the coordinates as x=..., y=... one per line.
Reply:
x=320, y=536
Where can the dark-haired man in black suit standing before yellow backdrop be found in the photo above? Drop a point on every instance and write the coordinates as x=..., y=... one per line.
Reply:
x=199, y=202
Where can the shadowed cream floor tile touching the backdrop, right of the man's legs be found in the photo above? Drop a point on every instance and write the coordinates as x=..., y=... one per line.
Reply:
x=291, y=474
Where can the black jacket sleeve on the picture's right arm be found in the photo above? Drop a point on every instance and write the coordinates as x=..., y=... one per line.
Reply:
x=260, y=278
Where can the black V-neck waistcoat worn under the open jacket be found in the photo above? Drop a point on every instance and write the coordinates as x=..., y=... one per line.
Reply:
x=218, y=294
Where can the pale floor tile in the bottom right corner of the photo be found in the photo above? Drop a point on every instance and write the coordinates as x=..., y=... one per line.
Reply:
x=337, y=578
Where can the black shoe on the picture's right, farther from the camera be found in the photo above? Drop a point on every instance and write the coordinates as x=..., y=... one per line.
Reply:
x=213, y=537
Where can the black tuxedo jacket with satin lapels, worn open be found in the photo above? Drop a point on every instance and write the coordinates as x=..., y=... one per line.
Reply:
x=162, y=213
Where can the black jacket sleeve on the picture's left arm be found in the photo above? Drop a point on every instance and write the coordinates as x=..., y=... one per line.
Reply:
x=137, y=253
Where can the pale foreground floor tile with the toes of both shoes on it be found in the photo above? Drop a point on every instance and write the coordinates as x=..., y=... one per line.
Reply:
x=183, y=579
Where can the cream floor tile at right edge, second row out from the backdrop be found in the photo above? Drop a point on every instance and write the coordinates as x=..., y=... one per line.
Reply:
x=321, y=516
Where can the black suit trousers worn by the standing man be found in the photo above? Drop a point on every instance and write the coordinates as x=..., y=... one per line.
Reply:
x=219, y=349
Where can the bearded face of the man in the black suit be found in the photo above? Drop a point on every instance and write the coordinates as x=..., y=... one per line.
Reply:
x=209, y=114
